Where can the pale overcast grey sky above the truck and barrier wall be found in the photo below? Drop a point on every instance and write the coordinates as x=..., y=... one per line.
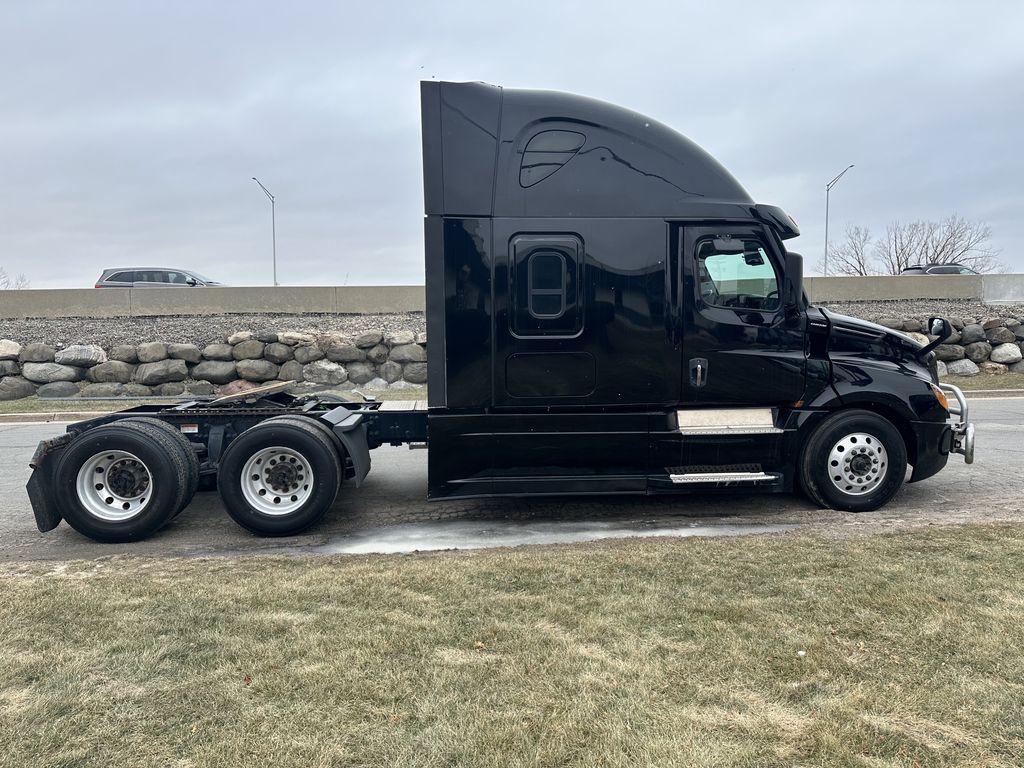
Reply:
x=131, y=132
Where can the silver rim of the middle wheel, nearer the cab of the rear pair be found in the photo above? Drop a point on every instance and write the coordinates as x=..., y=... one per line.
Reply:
x=277, y=481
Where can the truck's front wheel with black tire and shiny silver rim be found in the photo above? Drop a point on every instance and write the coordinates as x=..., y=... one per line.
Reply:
x=856, y=461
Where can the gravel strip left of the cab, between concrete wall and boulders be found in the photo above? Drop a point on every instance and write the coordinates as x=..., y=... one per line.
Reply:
x=196, y=329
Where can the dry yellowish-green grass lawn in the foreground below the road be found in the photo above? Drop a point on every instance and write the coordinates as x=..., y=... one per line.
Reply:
x=887, y=651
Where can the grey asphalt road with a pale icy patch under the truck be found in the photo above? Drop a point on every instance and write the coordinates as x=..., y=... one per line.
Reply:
x=391, y=513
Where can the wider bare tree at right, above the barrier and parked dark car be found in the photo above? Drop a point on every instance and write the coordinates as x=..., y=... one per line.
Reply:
x=953, y=240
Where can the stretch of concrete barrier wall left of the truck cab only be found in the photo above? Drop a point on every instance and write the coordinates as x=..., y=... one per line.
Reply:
x=123, y=303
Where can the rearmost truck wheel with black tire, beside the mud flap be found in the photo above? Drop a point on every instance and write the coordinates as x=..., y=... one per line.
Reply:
x=150, y=478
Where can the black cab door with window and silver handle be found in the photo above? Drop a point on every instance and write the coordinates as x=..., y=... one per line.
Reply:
x=740, y=349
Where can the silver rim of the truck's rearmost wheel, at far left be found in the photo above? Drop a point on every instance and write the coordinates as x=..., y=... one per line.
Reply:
x=114, y=486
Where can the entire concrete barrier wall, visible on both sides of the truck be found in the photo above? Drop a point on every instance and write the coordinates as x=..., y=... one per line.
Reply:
x=122, y=303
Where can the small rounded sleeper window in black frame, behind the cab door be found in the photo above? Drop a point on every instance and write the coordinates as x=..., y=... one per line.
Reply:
x=545, y=279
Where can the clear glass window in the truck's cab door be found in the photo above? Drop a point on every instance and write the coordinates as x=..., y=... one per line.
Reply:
x=743, y=281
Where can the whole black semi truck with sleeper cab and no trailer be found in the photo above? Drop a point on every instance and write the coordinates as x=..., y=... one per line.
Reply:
x=609, y=313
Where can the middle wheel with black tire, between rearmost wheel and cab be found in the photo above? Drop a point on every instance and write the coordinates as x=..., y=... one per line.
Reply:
x=287, y=500
